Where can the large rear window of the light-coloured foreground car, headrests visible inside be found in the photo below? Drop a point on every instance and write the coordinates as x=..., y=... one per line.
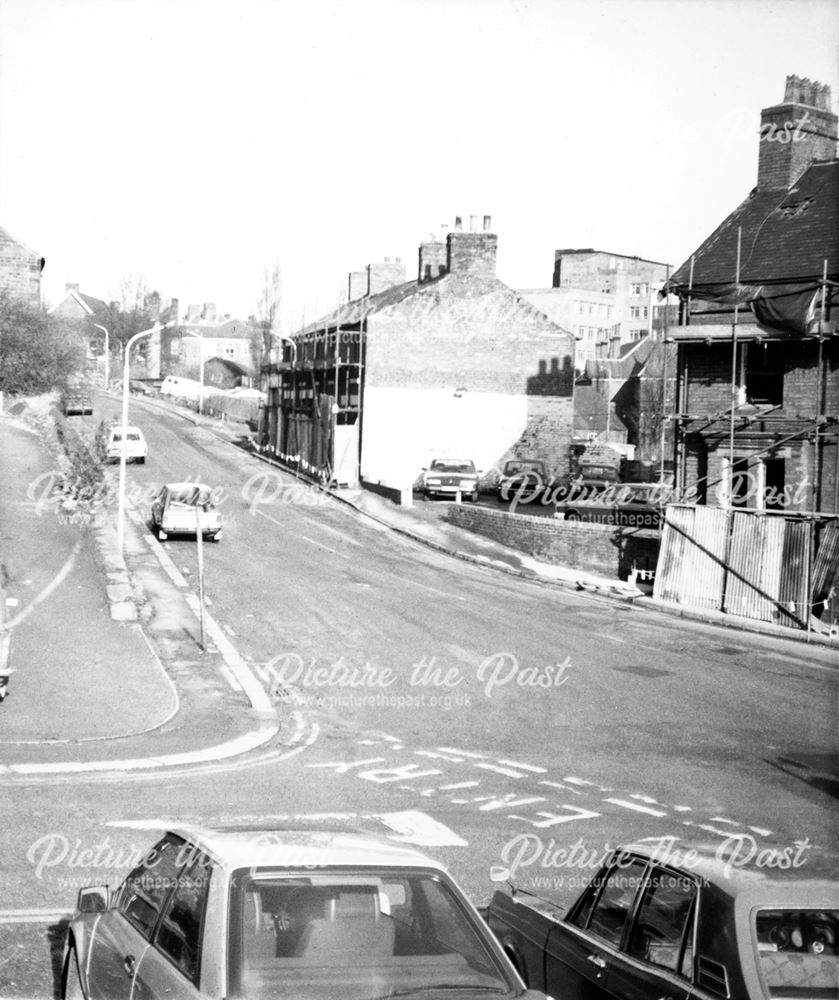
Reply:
x=354, y=936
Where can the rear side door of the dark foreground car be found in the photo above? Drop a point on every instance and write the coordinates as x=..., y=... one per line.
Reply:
x=656, y=960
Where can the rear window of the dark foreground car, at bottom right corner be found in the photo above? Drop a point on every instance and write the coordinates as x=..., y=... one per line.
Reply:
x=798, y=952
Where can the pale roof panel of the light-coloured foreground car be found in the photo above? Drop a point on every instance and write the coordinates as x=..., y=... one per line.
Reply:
x=309, y=846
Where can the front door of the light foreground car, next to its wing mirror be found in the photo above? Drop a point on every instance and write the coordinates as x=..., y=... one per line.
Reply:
x=123, y=932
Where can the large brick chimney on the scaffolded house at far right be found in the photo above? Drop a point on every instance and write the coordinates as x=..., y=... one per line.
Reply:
x=795, y=133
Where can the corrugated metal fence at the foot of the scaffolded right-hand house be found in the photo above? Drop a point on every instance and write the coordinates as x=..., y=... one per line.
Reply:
x=769, y=567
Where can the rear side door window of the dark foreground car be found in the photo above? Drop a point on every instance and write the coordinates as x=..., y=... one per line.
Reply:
x=662, y=927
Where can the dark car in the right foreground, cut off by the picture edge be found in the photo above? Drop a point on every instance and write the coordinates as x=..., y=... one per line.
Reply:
x=703, y=929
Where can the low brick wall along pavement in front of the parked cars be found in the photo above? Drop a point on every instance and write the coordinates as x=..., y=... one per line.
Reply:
x=596, y=548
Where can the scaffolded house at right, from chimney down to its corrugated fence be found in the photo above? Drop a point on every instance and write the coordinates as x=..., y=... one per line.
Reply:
x=757, y=421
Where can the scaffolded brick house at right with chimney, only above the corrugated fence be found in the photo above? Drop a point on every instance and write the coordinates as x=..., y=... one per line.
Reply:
x=758, y=352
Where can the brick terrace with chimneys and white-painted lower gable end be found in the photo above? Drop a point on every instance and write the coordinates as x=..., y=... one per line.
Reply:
x=450, y=364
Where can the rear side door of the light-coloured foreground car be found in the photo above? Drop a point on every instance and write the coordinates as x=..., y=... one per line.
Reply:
x=170, y=968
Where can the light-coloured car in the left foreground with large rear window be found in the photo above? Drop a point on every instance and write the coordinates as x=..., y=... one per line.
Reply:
x=304, y=914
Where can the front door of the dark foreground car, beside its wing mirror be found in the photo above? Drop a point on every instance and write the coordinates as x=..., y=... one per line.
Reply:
x=581, y=948
